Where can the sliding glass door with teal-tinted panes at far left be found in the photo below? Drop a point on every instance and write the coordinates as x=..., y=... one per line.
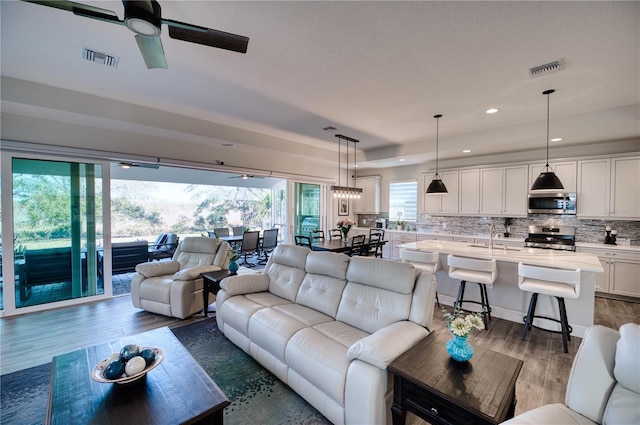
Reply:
x=57, y=220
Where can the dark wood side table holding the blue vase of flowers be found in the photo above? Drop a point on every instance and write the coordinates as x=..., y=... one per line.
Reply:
x=440, y=390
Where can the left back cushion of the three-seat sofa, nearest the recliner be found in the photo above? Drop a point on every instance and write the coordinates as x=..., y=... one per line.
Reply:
x=286, y=270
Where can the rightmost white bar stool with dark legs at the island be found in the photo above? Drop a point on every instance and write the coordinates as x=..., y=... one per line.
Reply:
x=554, y=282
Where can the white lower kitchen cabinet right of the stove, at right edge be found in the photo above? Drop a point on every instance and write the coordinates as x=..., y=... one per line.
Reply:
x=621, y=271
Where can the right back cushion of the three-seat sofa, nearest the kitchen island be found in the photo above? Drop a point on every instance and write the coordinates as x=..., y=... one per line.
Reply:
x=378, y=293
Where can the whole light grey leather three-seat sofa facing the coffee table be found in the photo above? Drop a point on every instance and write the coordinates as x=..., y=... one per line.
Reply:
x=328, y=325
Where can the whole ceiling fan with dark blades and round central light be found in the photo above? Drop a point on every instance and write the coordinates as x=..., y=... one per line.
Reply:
x=144, y=18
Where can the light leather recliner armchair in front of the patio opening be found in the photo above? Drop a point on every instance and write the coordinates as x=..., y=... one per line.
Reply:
x=174, y=288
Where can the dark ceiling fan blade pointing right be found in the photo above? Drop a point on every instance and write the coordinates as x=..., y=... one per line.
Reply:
x=207, y=36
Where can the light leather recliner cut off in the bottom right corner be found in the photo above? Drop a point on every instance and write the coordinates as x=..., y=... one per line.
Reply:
x=604, y=384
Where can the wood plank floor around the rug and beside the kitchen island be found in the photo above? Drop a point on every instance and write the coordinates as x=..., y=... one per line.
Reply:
x=33, y=339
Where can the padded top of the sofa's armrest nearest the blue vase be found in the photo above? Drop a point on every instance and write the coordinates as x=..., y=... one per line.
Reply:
x=385, y=345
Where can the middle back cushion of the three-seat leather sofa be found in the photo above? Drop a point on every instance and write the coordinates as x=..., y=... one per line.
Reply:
x=322, y=287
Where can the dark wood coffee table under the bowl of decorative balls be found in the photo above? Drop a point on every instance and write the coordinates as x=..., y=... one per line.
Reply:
x=178, y=391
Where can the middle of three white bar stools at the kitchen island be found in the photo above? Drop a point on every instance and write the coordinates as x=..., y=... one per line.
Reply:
x=482, y=272
